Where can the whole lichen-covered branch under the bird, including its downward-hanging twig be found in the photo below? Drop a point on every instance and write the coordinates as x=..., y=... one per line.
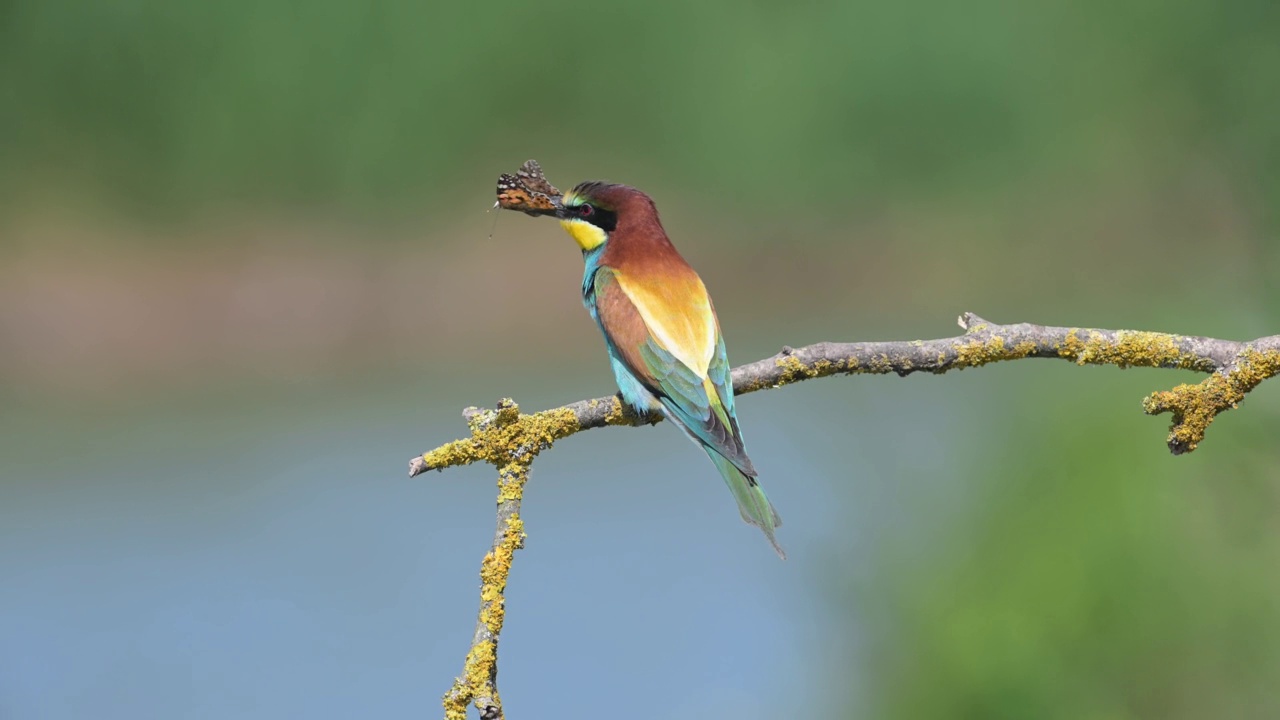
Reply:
x=510, y=441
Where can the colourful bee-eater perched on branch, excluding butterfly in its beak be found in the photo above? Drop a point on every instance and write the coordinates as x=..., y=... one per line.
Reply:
x=661, y=331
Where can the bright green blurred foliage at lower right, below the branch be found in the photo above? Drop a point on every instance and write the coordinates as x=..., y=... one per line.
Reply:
x=1094, y=580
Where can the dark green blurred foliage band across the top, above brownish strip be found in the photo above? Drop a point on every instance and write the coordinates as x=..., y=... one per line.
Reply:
x=373, y=107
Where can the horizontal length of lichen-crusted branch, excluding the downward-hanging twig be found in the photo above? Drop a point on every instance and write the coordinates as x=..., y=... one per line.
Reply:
x=1236, y=370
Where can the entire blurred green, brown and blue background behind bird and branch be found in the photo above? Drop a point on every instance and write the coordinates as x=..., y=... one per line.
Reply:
x=248, y=271
